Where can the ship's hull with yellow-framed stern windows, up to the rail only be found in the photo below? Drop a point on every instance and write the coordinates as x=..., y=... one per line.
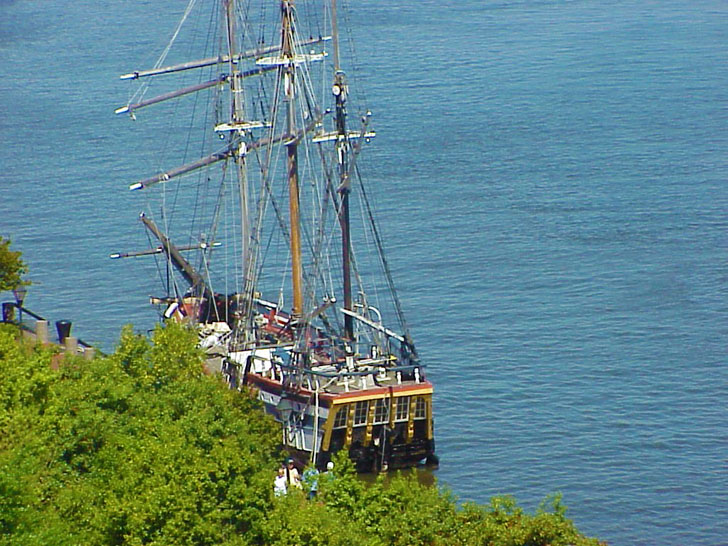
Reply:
x=384, y=421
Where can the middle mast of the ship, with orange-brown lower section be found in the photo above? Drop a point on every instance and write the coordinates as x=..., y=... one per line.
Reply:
x=288, y=74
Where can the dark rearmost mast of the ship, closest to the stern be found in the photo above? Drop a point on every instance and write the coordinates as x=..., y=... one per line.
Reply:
x=339, y=89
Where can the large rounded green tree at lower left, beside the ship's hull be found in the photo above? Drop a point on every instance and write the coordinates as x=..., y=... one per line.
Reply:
x=140, y=447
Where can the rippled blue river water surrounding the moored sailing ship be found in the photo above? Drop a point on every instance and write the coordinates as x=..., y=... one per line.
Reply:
x=555, y=213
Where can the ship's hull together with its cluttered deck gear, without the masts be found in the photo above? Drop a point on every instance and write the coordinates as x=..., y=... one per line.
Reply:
x=380, y=413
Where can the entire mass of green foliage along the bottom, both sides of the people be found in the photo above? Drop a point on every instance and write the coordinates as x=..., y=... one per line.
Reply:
x=141, y=447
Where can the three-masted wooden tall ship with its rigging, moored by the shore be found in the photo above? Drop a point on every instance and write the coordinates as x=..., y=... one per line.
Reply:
x=264, y=232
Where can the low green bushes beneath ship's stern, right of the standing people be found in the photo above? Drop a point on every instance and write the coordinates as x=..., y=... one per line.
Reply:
x=397, y=510
